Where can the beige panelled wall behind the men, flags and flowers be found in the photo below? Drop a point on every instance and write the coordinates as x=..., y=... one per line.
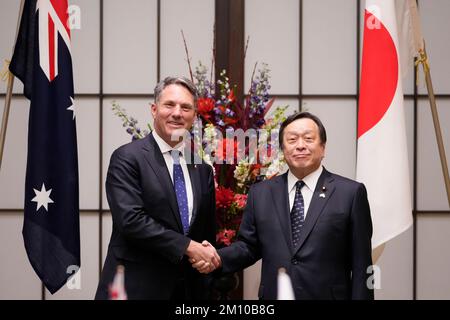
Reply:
x=329, y=73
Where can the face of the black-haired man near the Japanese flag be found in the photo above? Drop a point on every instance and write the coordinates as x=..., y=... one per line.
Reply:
x=302, y=147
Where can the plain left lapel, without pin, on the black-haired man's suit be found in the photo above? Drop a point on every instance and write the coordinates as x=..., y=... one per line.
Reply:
x=280, y=198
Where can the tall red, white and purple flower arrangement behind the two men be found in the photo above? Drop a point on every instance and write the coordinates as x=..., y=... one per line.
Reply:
x=234, y=138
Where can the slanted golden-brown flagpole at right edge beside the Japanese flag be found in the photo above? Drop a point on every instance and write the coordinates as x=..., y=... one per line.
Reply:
x=437, y=127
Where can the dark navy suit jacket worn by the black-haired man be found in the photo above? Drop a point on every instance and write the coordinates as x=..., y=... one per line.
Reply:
x=334, y=252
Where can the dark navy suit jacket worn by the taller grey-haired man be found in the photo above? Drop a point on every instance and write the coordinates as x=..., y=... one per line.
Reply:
x=147, y=235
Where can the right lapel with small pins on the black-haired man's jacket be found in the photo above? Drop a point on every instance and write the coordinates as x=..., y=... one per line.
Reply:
x=318, y=202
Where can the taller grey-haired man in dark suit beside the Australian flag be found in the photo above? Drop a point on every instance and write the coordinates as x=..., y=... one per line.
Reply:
x=161, y=206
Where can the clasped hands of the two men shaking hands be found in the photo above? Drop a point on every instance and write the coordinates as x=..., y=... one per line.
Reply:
x=203, y=256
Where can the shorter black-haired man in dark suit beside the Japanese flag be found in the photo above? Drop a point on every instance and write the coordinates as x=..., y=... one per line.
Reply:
x=313, y=223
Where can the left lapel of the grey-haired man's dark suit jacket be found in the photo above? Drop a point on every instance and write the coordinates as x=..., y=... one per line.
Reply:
x=155, y=159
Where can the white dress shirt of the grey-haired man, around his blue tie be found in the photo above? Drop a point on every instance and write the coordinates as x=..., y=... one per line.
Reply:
x=166, y=151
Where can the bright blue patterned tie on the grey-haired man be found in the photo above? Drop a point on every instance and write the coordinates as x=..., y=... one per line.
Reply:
x=180, y=190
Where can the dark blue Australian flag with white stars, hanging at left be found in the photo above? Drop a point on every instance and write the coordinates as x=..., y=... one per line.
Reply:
x=42, y=61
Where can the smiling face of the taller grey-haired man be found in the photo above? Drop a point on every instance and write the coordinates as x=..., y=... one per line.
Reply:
x=174, y=113
